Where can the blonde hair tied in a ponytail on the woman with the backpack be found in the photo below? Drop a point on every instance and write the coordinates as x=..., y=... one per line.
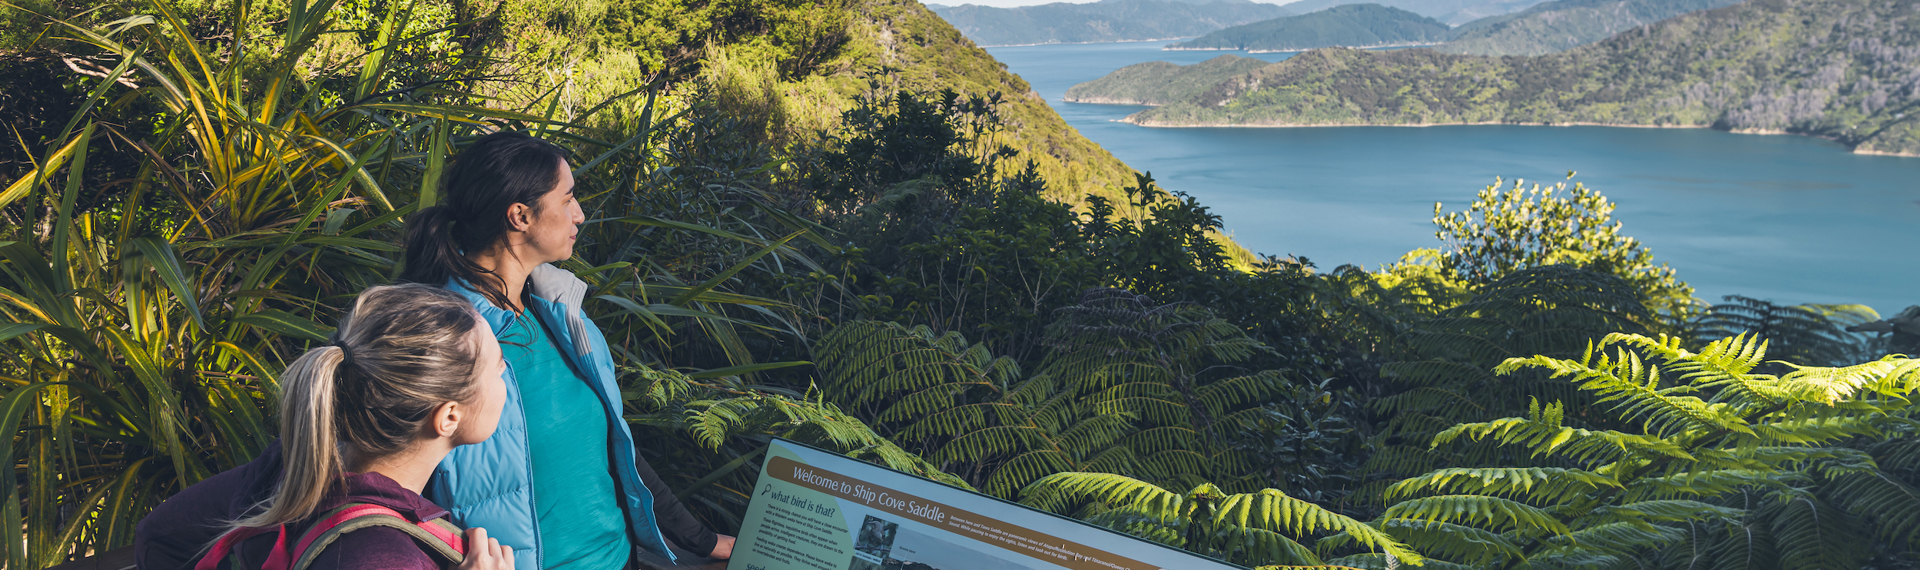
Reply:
x=398, y=356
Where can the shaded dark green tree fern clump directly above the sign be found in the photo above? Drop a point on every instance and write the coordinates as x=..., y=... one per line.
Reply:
x=1128, y=387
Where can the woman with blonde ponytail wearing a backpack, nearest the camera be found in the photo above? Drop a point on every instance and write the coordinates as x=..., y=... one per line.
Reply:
x=412, y=375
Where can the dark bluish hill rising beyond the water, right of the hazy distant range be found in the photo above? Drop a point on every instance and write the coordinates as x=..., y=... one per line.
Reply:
x=1360, y=26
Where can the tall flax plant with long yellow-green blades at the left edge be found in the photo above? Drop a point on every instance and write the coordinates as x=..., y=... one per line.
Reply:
x=143, y=333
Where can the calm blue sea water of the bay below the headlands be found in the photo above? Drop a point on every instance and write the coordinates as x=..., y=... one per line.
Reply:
x=1790, y=220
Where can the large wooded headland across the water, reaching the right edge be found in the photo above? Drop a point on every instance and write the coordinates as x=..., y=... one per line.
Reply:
x=1825, y=68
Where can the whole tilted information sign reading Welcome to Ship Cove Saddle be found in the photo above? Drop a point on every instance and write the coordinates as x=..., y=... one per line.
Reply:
x=823, y=511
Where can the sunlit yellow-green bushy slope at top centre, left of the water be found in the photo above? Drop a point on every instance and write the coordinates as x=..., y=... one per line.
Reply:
x=900, y=43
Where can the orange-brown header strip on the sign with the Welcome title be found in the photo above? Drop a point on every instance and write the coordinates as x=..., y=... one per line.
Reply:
x=1013, y=538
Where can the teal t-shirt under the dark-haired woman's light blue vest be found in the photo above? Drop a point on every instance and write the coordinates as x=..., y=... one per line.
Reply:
x=581, y=521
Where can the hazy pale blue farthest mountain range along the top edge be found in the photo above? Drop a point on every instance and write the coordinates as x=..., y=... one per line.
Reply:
x=1101, y=22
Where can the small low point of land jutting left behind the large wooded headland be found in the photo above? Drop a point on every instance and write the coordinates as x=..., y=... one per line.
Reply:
x=1159, y=83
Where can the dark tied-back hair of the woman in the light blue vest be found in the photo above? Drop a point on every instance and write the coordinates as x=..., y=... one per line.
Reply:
x=494, y=174
